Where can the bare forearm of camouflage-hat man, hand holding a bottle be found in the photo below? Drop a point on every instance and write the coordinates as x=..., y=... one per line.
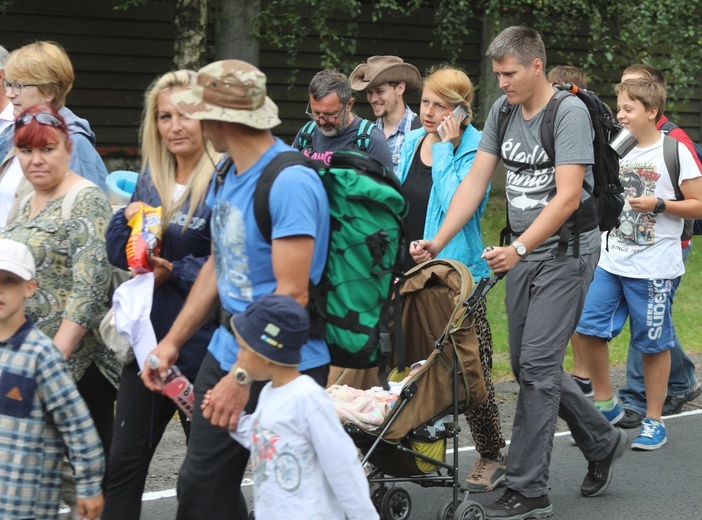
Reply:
x=195, y=312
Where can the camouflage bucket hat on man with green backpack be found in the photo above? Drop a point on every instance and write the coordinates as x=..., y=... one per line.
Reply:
x=232, y=91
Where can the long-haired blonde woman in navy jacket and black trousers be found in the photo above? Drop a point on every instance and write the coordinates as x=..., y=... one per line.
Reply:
x=177, y=169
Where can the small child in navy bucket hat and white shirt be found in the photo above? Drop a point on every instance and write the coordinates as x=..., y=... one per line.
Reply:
x=304, y=465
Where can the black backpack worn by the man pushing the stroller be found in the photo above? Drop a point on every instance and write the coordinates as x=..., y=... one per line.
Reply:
x=607, y=201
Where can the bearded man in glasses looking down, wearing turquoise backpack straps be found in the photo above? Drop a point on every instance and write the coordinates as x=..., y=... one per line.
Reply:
x=334, y=126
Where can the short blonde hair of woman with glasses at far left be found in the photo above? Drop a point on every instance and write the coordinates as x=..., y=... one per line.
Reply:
x=45, y=64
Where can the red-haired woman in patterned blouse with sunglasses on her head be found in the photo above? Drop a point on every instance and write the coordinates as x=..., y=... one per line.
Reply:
x=63, y=225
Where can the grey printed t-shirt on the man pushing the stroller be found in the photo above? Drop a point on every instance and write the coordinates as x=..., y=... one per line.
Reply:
x=529, y=191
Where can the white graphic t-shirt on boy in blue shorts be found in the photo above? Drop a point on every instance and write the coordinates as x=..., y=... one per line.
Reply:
x=647, y=246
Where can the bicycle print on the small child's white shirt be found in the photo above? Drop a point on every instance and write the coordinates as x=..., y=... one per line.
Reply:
x=273, y=458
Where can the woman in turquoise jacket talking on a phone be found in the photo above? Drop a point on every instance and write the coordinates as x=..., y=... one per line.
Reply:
x=432, y=165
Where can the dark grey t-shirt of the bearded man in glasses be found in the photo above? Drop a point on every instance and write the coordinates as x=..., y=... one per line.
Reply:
x=323, y=147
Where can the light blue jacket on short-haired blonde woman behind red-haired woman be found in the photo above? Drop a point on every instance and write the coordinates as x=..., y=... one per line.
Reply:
x=85, y=160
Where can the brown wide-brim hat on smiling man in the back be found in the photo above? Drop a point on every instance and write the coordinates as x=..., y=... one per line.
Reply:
x=385, y=69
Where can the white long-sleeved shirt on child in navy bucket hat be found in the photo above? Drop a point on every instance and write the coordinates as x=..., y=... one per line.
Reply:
x=304, y=465
